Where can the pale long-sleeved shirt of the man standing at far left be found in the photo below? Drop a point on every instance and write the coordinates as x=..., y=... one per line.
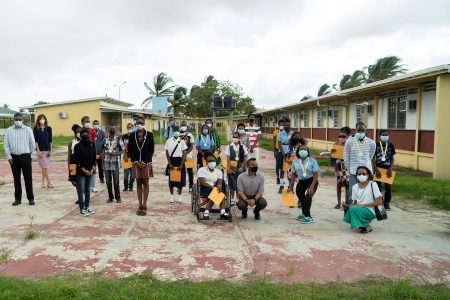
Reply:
x=19, y=140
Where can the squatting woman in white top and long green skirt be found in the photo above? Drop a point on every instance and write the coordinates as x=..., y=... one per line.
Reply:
x=365, y=196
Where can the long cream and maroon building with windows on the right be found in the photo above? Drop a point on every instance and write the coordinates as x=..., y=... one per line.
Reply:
x=414, y=107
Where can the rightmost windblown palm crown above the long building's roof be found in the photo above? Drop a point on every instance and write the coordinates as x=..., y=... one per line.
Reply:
x=383, y=68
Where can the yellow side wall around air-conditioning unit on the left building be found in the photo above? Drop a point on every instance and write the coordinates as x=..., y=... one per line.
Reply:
x=75, y=112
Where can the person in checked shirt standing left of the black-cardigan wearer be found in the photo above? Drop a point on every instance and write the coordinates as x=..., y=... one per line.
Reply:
x=111, y=153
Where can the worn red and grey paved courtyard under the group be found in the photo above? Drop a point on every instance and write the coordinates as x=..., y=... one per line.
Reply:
x=171, y=244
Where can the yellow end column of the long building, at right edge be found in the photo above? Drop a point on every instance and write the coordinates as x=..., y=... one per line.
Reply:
x=441, y=168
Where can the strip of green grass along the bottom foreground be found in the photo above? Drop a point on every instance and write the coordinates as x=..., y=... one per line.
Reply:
x=146, y=287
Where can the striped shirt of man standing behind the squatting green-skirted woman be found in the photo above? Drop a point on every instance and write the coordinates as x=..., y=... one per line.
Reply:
x=358, y=153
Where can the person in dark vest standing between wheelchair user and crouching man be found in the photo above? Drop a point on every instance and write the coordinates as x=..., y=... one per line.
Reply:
x=236, y=156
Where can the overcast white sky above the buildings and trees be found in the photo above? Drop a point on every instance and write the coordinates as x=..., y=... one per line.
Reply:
x=278, y=51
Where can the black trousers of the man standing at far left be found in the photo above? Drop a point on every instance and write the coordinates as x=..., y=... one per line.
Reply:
x=22, y=164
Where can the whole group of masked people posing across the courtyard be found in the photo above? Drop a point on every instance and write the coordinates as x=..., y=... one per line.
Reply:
x=94, y=151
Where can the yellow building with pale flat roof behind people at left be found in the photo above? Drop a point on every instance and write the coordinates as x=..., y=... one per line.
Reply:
x=108, y=111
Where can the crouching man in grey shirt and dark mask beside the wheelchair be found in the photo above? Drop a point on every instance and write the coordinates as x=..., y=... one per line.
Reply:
x=250, y=189
